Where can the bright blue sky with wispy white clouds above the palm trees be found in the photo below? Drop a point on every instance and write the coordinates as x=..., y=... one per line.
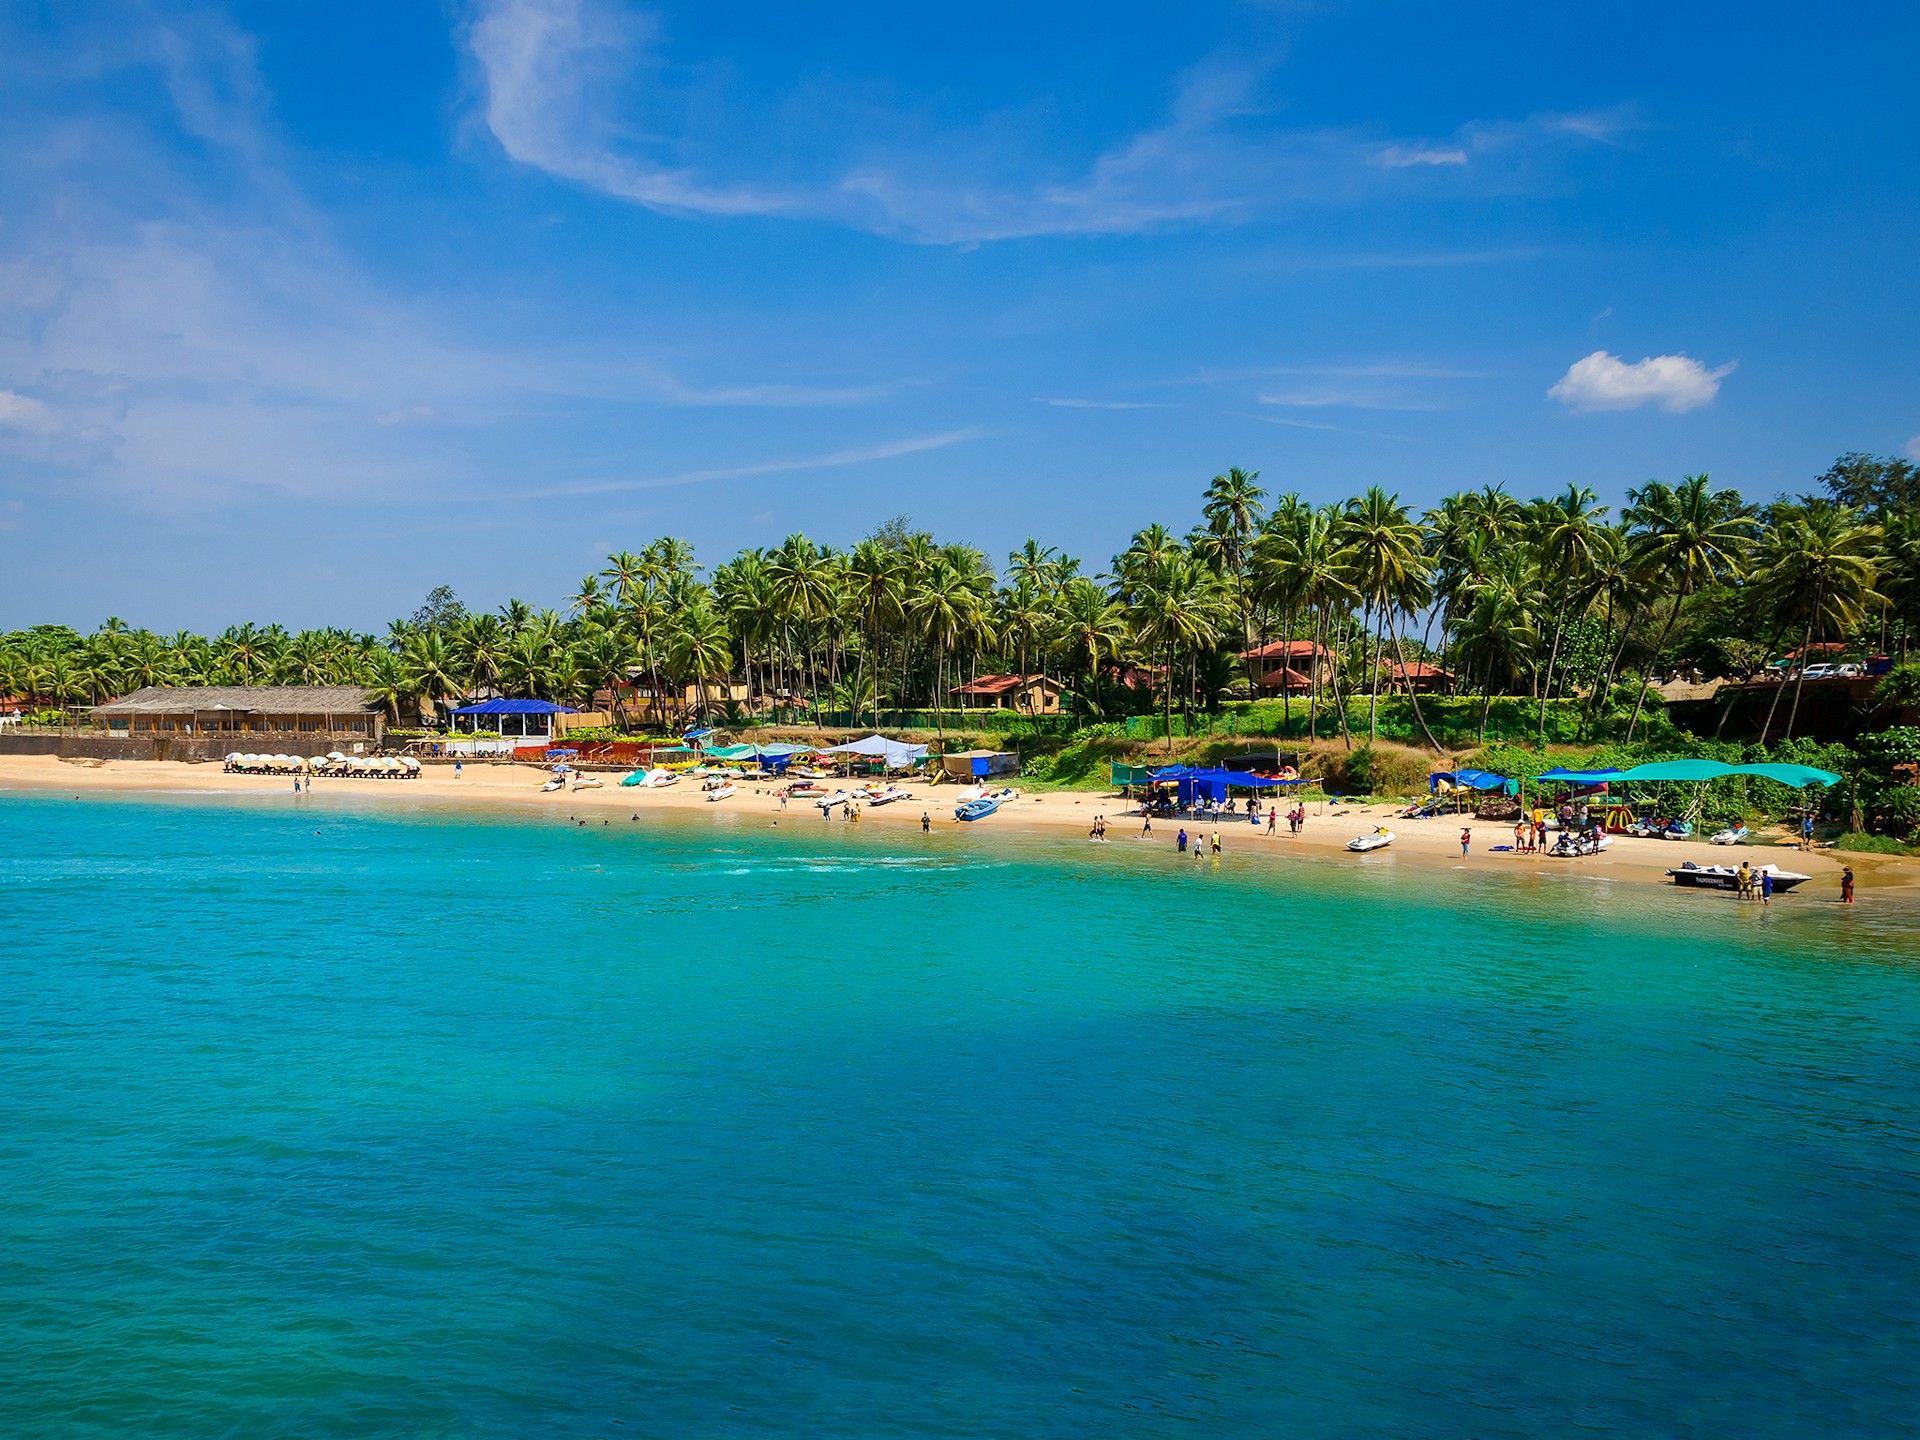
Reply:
x=308, y=308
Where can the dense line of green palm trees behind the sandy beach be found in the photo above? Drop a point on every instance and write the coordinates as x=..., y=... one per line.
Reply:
x=1552, y=598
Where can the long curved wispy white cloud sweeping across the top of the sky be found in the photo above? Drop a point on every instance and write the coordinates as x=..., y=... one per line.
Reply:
x=588, y=93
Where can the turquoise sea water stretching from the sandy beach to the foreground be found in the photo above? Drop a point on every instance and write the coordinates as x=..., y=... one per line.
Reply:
x=322, y=1122
